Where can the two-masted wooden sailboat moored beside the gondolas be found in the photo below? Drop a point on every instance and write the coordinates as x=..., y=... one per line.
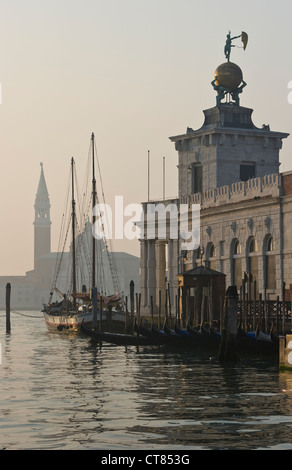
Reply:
x=90, y=308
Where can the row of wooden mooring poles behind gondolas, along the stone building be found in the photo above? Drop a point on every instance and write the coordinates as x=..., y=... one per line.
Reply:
x=253, y=311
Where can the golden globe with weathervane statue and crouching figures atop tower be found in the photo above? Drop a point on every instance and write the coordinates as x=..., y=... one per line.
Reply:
x=228, y=78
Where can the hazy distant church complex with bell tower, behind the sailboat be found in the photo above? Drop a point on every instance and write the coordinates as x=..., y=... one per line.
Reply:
x=32, y=290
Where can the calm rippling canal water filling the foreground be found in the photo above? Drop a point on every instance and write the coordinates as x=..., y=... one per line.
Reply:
x=59, y=392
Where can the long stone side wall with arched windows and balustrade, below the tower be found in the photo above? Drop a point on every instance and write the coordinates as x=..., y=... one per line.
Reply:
x=237, y=215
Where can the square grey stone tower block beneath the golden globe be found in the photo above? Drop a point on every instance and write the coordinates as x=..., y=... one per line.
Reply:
x=226, y=154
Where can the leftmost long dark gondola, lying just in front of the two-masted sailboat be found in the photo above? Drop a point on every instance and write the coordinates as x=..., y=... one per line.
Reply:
x=119, y=338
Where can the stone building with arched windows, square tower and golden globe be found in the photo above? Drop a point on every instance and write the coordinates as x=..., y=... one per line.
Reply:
x=230, y=168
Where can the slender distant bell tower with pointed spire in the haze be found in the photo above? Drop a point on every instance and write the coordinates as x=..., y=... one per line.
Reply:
x=42, y=221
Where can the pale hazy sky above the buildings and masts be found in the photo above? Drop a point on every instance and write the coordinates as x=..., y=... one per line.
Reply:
x=134, y=72
